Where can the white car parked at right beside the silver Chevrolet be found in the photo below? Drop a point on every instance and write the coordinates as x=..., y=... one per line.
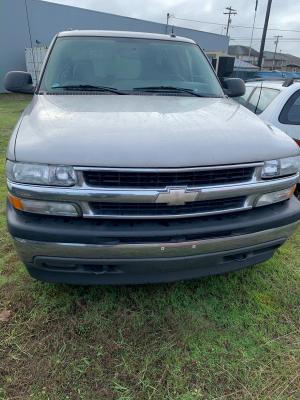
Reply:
x=276, y=102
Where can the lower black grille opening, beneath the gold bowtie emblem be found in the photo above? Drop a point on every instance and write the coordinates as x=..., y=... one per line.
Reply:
x=157, y=209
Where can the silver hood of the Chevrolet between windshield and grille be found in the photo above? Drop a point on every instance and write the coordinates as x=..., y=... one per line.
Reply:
x=145, y=131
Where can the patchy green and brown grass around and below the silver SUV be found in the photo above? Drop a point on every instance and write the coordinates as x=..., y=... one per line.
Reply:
x=228, y=337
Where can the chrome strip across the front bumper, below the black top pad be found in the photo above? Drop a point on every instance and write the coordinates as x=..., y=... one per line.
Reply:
x=28, y=249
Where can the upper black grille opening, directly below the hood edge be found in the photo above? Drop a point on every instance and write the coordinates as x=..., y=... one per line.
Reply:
x=191, y=178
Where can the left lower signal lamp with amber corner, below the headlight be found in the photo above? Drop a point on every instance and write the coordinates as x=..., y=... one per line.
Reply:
x=43, y=207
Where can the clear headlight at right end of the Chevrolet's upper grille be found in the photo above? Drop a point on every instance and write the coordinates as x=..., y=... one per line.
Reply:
x=282, y=167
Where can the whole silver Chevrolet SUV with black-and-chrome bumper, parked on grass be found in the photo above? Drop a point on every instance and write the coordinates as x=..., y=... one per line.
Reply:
x=131, y=165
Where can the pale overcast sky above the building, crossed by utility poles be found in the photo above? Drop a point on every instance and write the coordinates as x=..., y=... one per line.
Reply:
x=285, y=14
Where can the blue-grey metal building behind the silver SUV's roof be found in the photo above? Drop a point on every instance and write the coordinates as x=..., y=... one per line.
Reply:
x=33, y=23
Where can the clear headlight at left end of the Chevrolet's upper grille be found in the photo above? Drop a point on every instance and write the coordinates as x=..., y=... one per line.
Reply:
x=39, y=174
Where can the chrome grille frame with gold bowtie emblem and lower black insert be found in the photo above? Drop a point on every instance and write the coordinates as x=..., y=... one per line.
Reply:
x=86, y=197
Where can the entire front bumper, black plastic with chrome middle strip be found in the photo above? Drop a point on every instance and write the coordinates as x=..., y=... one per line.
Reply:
x=107, y=252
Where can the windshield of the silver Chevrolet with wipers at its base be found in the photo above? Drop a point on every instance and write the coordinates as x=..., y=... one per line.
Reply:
x=128, y=65
